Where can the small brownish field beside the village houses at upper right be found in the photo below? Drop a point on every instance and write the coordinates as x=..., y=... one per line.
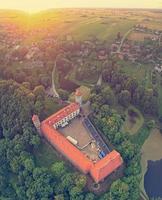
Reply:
x=136, y=36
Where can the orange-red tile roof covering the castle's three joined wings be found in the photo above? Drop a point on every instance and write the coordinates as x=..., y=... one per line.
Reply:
x=99, y=170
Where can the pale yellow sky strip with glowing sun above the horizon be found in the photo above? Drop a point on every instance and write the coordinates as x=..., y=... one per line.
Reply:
x=38, y=5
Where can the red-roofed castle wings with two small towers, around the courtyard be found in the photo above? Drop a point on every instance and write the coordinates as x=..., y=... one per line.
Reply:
x=49, y=129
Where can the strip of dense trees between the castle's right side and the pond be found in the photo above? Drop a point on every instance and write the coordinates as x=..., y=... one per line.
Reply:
x=110, y=122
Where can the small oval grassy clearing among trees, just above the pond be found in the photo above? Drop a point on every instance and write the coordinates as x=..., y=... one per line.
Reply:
x=133, y=128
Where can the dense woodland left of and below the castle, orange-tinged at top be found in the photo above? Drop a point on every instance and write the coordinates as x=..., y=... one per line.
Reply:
x=20, y=178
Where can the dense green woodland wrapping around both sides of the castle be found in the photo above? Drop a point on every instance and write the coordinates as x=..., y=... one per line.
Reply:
x=18, y=139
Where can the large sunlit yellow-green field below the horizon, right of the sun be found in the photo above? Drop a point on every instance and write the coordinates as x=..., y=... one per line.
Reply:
x=106, y=29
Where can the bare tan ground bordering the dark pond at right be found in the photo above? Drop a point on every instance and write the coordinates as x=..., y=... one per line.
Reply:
x=151, y=150
